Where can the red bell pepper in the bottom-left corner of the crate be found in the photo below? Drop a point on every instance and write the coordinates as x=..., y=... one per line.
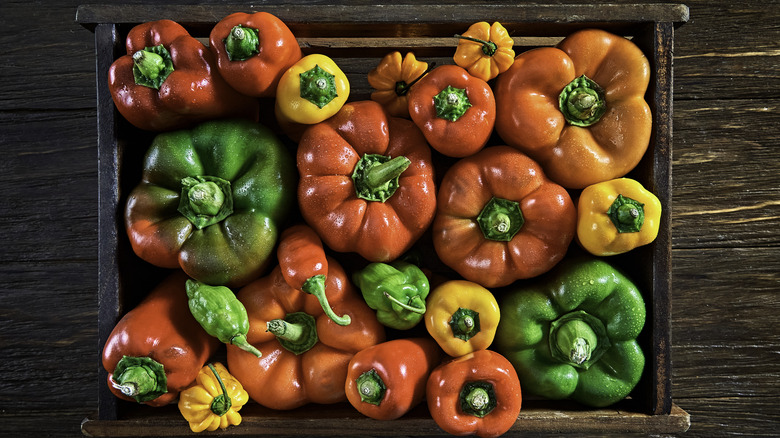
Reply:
x=137, y=354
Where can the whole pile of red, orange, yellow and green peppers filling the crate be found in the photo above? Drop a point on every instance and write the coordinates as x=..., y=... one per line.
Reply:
x=454, y=239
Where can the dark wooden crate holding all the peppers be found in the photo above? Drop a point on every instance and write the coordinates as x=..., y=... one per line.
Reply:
x=357, y=37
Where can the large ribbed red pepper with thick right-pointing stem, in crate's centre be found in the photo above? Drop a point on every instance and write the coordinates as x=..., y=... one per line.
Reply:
x=366, y=182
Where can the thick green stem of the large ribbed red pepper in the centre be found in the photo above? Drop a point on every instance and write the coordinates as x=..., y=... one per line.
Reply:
x=375, y=176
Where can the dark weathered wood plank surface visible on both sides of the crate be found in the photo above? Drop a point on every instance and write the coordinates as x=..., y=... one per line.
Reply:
x=726, y=216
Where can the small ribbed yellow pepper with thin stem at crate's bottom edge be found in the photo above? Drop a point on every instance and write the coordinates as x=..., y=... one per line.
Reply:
x=214, y=400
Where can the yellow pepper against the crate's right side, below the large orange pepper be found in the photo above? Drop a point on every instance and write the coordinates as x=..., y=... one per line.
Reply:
x=616, y=216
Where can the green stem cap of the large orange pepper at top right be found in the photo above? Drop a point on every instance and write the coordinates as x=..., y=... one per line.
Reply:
x=582, y=102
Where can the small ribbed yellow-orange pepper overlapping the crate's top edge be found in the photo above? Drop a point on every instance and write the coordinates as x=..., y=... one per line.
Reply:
x=485, y=50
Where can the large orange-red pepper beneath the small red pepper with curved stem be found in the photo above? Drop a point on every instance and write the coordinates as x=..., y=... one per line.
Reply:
x=305, y=354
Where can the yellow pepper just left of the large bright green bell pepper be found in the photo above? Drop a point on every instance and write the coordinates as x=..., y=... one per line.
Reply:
x=462, y=317
